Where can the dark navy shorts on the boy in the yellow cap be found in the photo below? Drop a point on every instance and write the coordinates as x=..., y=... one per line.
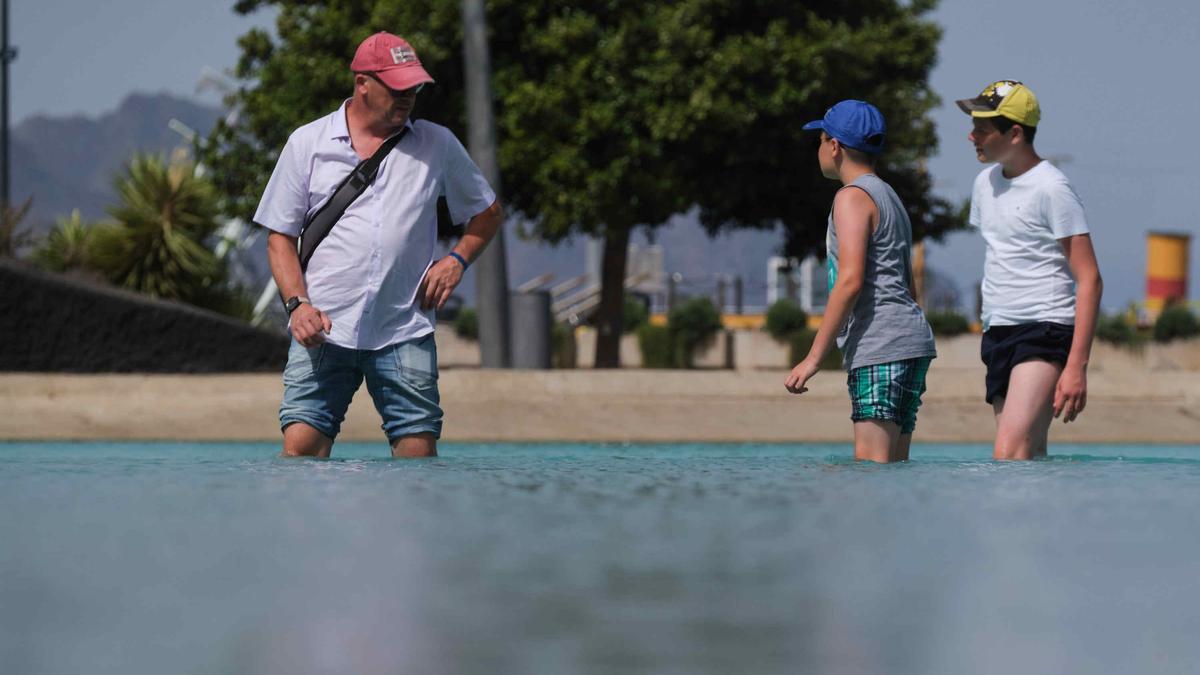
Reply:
x=1005, y=347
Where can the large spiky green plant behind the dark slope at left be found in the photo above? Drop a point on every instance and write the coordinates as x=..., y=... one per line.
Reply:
x=155, y=246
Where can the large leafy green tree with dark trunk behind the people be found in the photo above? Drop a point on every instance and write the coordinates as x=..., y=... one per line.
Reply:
x=617, y=115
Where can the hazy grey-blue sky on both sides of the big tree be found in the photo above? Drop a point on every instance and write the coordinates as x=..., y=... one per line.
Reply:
x=1114, y=80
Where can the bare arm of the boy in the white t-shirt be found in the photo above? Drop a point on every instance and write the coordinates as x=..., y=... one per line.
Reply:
x=1071, y=393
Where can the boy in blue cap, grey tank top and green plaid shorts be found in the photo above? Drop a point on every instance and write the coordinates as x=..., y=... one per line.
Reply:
x=886, y=342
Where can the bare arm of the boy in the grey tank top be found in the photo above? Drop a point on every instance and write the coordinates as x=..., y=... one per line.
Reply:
x=853, y=214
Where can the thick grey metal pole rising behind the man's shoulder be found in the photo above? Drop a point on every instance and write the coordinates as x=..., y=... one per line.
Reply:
x=491, y=268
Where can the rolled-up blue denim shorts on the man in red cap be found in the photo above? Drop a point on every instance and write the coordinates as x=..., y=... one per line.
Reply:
x=403, y=380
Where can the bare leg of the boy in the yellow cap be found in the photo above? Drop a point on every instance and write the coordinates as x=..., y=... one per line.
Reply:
x=1024, y=416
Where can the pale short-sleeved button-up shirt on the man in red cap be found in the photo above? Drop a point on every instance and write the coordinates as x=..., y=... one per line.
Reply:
x=367, y=272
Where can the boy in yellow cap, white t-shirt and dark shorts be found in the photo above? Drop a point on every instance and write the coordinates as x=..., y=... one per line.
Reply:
x=1042, y=285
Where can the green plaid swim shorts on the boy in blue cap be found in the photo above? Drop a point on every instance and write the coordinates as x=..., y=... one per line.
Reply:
x=889, y=391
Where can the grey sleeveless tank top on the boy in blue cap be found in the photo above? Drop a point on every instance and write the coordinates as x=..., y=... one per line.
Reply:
x=886, y=325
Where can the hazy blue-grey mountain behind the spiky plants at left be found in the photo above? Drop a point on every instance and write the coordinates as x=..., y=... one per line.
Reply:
x=70, y=163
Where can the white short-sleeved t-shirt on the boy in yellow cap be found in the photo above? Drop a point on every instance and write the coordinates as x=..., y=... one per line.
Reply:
x=1027, y=277
